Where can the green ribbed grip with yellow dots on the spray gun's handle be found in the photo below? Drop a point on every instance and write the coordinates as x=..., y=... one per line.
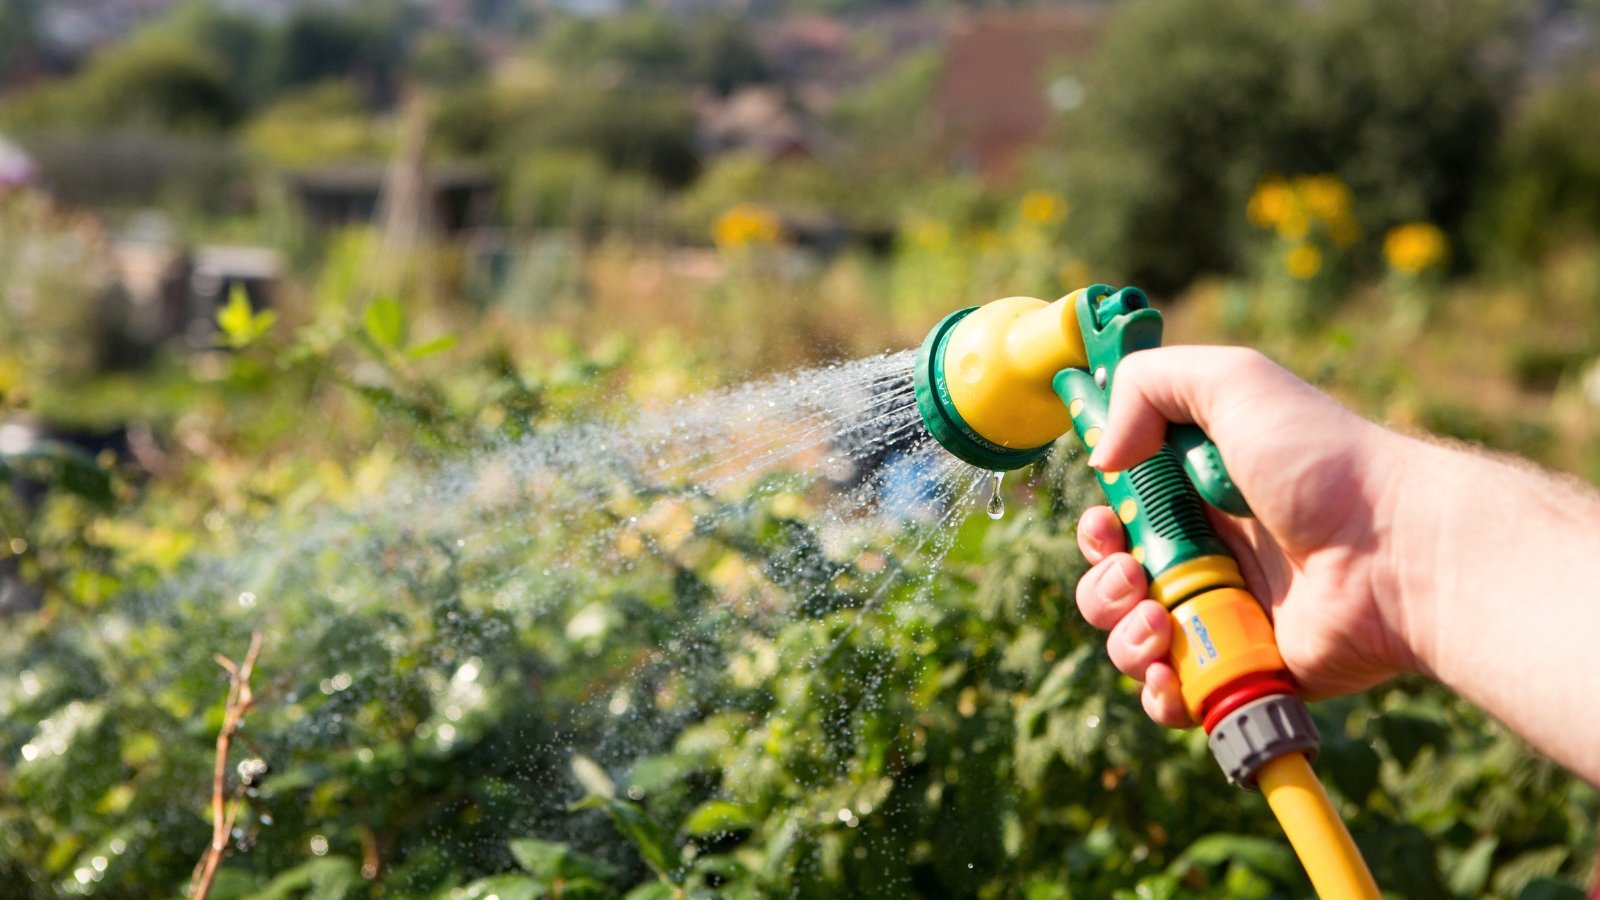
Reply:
x=1156, y=500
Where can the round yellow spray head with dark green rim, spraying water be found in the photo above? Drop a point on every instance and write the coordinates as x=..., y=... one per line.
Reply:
x=985, y=379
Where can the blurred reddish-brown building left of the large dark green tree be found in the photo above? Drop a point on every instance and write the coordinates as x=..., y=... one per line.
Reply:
x=996, y=98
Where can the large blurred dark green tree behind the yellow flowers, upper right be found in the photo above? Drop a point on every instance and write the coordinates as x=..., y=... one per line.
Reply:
x=1191, y=103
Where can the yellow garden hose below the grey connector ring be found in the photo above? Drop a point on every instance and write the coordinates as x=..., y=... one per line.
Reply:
x=1316, y=830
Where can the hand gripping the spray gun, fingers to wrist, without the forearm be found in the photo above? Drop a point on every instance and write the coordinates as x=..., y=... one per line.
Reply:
x=1322, y=484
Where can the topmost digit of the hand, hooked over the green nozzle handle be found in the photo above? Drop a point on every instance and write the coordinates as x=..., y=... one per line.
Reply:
x=1170, y=385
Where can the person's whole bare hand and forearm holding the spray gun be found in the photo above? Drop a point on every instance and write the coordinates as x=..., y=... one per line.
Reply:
x=1375, y=553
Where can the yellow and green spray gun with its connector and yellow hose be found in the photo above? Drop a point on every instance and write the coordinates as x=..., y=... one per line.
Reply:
x=998, y=385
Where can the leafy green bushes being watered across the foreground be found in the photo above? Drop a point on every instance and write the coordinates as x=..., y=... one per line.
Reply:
x=641, y=729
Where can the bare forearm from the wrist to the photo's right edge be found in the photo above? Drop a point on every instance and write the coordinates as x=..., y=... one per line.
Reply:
x=1497, y=574
